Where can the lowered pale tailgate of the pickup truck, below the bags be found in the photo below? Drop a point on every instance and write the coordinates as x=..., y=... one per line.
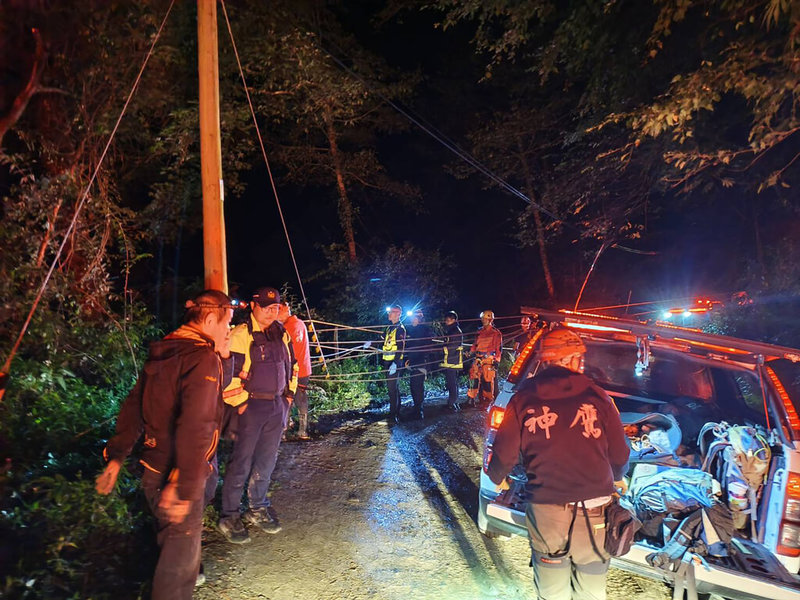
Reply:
x=756, y=583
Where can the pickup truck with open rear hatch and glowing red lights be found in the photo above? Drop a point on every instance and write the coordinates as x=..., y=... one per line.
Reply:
x=694, y=378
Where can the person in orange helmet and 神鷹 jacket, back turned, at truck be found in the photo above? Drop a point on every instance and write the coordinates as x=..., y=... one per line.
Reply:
x=573, y=449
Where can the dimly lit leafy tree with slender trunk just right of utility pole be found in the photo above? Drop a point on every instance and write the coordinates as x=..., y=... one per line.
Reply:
x=323, y=119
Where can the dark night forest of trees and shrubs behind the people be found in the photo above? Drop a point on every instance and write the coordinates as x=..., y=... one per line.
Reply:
x=659, y=138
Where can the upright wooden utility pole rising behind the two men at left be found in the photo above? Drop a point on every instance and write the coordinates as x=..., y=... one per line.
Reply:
x=214, y=255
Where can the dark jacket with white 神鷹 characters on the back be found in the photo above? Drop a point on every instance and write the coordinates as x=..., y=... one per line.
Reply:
x=569, y=434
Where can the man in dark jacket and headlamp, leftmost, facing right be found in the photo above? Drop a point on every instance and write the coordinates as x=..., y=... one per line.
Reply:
x=177, y=405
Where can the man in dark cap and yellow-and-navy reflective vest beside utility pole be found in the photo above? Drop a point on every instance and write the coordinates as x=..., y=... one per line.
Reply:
x=260, y=394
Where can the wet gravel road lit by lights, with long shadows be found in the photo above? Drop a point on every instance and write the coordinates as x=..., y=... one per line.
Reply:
x=377, y=512
